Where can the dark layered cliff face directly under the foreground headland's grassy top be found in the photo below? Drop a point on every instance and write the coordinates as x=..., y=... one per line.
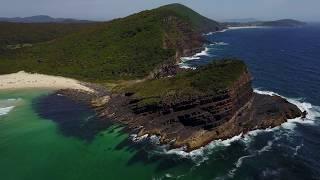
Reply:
x=207, y=111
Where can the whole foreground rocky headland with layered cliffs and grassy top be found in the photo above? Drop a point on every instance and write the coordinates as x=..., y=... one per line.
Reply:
x=227, y=108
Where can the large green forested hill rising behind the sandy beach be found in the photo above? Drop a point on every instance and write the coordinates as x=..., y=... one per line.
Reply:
x=127, y=48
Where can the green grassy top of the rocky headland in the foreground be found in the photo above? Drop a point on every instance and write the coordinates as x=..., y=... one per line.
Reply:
x=208, y=79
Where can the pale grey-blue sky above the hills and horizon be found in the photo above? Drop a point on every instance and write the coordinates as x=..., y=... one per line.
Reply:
x=216, y=9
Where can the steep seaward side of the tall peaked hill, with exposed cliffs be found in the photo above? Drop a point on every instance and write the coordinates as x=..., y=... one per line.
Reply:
x=183, y=33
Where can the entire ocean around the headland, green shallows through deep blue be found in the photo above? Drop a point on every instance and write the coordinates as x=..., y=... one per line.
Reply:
x=41, y=139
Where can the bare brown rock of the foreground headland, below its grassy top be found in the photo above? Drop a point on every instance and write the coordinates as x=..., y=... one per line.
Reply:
x=194, y=121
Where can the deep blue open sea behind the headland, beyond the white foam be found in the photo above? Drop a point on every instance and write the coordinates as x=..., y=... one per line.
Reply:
x=283, y=60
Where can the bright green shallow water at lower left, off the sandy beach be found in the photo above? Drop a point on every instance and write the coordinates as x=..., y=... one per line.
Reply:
x=33, y=148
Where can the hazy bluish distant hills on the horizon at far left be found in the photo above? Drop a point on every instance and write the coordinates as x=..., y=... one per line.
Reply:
x=41, y=19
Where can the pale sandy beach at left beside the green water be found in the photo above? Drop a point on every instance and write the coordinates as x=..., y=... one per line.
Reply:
x=23, y=80
